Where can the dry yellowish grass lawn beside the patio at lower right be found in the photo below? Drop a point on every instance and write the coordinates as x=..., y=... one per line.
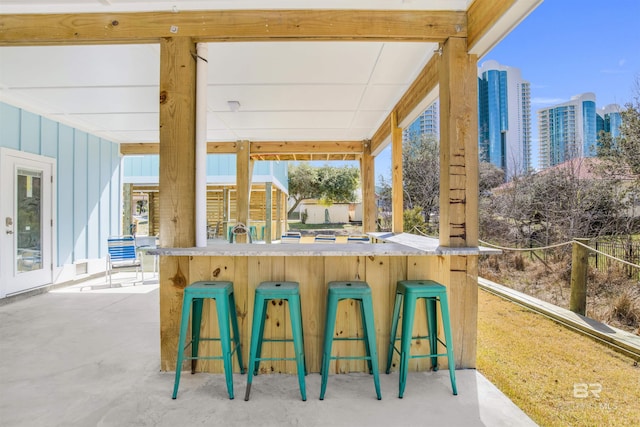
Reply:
x=557, y=376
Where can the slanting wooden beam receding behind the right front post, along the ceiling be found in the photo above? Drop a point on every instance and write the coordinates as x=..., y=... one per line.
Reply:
x=426, y=81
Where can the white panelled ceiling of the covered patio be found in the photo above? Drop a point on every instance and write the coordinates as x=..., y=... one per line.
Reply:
x=286, y=90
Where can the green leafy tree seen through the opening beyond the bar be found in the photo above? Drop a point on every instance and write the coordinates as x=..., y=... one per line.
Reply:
x=327, y=183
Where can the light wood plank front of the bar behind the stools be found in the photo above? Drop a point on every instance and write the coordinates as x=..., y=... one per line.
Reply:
x=313, y=275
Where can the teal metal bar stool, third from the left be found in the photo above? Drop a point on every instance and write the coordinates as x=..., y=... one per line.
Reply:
x=359, y=291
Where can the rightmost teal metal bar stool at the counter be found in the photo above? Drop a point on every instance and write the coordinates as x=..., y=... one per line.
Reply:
x=431, y=292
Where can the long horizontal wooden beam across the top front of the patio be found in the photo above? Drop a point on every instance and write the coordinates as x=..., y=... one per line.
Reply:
x=232, y=25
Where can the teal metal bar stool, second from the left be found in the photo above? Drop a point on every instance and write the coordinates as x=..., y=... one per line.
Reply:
x=265, y=292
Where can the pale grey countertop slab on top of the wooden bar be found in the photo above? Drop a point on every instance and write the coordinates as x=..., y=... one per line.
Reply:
x=402, y=244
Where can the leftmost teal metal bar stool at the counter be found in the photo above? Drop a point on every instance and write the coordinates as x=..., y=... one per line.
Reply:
x=194, y=295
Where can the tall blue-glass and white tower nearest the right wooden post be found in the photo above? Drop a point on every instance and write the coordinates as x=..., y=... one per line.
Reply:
x=504, y=118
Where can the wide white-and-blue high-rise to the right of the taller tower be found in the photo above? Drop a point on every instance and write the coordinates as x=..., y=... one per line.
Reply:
x=568, y=130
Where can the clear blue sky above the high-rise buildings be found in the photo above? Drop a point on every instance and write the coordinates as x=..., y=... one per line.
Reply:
x=566, y=48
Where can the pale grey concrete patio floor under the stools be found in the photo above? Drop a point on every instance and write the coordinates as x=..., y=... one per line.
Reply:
x=87, y=355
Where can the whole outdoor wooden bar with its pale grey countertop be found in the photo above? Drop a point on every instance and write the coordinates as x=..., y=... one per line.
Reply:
x=381, y=264
